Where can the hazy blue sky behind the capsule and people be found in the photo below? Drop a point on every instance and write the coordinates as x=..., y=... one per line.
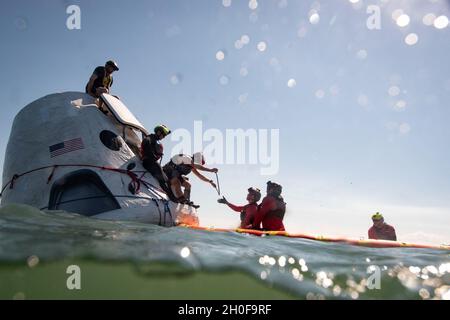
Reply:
x=365, y=128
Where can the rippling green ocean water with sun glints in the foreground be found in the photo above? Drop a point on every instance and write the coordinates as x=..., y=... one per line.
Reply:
x=138, y=261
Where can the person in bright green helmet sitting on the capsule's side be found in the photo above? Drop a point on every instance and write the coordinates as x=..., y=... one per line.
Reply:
x=151, y=155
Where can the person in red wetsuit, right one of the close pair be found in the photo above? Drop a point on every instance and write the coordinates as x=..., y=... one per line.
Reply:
x=271, y=210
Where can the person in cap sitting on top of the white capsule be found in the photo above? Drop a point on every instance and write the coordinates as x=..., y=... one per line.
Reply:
x=101, y=79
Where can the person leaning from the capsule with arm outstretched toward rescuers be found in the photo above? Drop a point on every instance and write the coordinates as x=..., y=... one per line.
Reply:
x=177, y=170
